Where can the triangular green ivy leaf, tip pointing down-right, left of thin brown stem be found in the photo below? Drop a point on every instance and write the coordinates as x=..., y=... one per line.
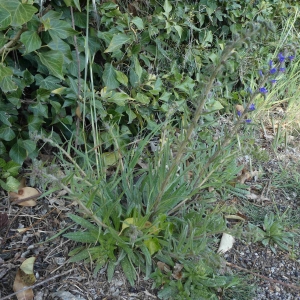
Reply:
x=53, y=60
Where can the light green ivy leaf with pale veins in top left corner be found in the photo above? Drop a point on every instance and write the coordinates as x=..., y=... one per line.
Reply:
x=20, y=13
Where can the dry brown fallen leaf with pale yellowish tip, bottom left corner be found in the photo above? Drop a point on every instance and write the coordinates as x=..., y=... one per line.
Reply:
x=25, y=278
